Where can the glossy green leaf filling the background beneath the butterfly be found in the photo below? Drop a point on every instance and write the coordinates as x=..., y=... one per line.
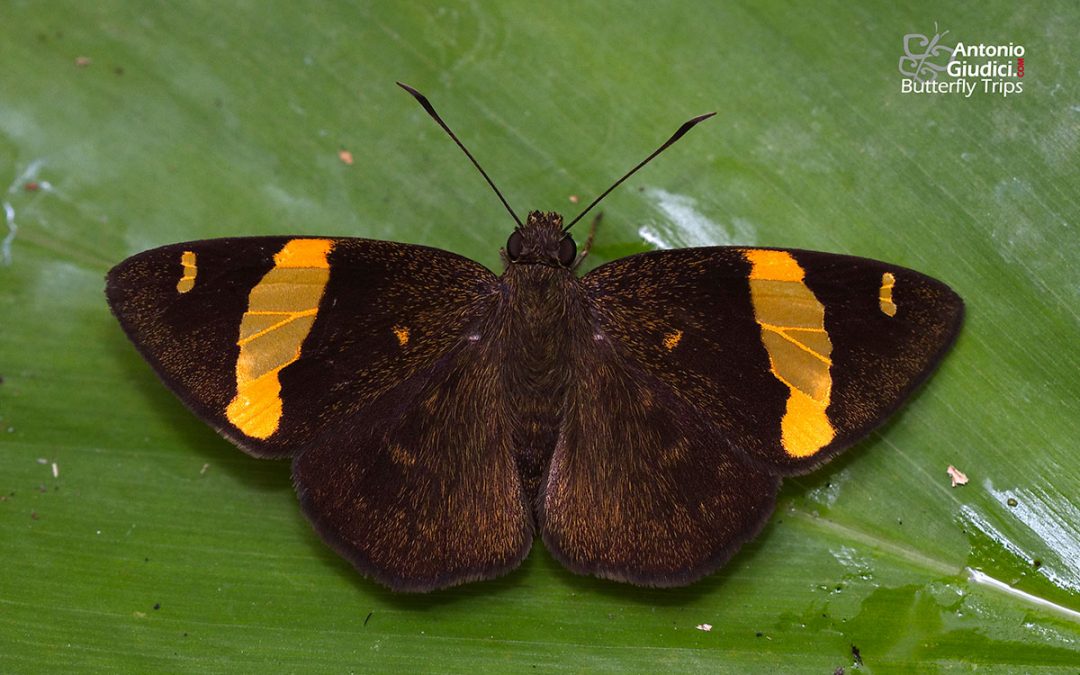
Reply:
x=137, y=539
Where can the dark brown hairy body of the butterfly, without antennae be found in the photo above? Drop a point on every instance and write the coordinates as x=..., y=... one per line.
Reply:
x=544, y=305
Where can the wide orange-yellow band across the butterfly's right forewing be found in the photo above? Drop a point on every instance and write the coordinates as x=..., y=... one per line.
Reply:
x=793, y=332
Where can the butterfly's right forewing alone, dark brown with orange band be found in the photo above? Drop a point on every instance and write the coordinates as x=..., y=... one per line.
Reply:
x=790, y=356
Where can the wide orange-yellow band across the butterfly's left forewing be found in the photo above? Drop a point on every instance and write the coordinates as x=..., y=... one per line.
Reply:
x=281, y=310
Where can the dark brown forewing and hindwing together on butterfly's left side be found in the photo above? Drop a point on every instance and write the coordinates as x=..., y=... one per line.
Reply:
x=360, y=360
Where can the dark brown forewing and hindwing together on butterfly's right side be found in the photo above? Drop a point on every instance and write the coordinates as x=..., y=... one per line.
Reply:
x=703, y=376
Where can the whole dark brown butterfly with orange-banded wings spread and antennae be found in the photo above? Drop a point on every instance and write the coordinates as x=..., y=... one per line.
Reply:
x=440, y=417
